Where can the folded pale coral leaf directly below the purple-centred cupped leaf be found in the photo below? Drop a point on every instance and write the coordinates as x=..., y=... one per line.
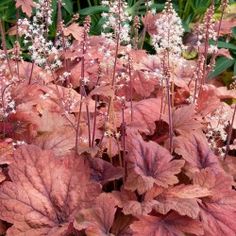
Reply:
x=181, y=198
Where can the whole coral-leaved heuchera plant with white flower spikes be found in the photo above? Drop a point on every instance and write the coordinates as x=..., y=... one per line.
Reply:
x=99, y=137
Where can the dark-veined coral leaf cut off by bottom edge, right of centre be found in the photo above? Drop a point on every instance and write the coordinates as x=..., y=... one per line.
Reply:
x=169, y=225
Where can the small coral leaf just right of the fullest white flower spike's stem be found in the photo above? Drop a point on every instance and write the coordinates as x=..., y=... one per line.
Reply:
x=184, y=120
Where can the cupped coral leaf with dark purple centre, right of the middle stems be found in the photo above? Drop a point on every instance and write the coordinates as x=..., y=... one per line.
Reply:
x=149, y=163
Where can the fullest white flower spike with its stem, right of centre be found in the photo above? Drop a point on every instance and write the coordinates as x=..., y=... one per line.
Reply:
x=168, y=44
